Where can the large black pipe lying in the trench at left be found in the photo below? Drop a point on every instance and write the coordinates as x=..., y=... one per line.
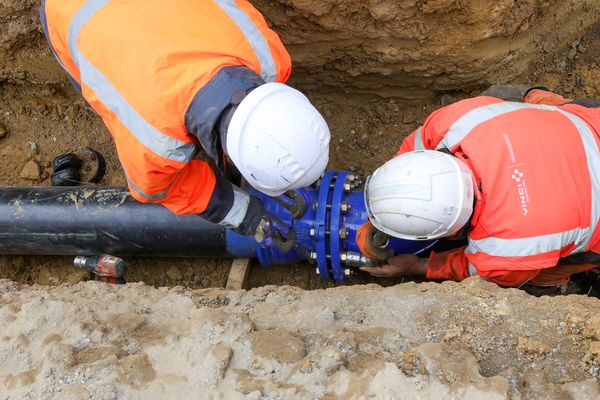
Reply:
x=94, y=220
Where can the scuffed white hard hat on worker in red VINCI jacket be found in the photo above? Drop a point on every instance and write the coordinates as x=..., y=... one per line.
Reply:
x=420, y=195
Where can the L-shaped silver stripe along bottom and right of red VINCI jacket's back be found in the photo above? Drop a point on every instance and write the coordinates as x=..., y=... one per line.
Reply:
x=522, y=247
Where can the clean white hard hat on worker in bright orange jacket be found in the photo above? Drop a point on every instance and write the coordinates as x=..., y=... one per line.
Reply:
x=278, y=140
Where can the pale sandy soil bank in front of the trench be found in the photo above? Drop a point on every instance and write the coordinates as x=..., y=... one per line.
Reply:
x=430, y=341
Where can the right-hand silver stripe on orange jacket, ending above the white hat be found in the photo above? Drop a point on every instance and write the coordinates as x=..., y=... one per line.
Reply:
x=268, y=70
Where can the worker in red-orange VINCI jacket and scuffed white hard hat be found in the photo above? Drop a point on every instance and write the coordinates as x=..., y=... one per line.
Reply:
x=519, y=181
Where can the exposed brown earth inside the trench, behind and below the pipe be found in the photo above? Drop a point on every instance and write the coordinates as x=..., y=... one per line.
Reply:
x=374, y=69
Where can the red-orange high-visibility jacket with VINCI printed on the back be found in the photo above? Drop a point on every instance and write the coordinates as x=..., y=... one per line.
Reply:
x=538, y=171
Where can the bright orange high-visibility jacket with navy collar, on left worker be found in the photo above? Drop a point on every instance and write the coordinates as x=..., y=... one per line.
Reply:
x=159, y=73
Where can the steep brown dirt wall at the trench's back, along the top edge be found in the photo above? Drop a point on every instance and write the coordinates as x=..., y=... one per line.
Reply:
x=411, y=49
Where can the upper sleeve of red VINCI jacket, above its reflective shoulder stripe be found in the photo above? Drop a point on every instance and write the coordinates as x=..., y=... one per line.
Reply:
x=436, y=126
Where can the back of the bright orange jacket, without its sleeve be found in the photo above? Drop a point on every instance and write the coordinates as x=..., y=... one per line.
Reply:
x=157, y=54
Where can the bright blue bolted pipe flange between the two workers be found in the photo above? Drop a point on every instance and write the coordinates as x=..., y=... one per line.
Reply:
x=318, y=229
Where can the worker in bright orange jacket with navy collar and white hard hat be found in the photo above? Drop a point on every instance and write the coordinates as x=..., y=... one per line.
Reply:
x=169, y=78
